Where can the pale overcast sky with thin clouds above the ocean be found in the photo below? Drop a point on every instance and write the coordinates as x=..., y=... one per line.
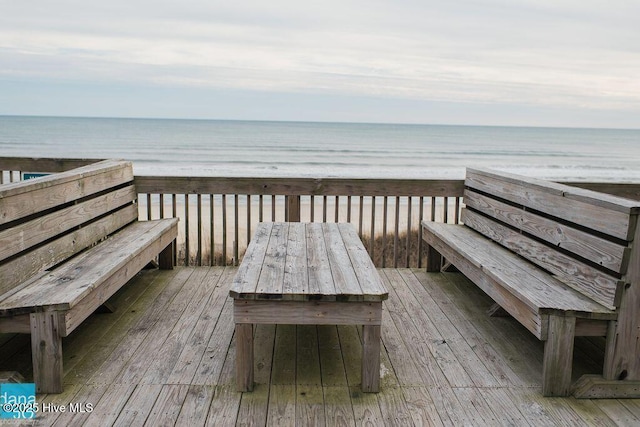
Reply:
x=486, y=62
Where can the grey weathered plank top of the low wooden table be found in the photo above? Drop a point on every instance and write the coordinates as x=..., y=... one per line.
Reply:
x=307, y=261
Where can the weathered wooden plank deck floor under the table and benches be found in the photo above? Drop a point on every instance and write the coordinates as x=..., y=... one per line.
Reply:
x=166, y=356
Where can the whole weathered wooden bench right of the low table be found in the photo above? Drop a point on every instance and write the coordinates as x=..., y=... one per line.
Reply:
x=563, y=261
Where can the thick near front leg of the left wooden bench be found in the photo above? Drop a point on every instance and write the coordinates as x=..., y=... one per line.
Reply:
x=46, y=352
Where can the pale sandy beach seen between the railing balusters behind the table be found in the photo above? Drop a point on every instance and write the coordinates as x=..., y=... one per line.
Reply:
x=226, y=231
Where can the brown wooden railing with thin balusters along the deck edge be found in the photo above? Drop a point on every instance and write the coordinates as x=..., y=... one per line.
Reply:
x=218, y=214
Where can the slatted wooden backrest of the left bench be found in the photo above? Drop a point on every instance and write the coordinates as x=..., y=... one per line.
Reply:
x=47, y=220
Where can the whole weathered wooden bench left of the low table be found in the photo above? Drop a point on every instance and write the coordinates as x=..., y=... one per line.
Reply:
x=68, y=242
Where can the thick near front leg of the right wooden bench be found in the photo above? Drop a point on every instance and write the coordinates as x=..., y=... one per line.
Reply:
x=558, y=356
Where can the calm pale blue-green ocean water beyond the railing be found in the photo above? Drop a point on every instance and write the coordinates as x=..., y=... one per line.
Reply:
x=254, y=148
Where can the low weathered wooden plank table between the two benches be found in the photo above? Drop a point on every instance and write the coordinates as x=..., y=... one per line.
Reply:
x=307, y=274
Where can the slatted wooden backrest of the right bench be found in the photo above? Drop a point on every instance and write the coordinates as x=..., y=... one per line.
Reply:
x=580, y=236
